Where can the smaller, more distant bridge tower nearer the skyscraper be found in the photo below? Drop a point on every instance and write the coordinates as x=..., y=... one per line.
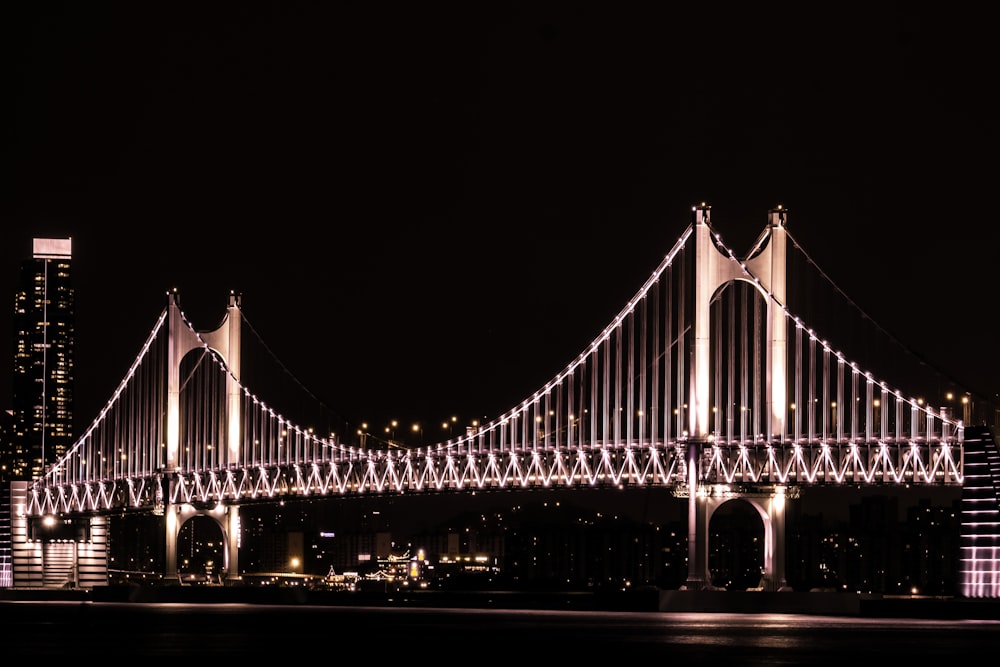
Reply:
x=225, y=340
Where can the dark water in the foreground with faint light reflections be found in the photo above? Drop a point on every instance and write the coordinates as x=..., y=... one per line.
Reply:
x=385, y=634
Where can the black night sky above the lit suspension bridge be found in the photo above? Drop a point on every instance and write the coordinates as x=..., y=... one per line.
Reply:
x=431, y=211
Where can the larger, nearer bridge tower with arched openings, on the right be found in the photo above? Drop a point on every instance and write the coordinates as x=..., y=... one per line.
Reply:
x=713, y=271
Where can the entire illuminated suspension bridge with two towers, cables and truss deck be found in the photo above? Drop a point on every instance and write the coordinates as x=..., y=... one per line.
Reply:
x=715, y=380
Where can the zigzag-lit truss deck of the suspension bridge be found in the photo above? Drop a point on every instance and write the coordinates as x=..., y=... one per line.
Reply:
x=466, y=467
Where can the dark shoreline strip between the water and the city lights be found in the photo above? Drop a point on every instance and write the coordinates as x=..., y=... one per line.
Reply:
x=642, y=600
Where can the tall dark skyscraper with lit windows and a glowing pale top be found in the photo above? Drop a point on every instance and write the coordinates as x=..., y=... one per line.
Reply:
x=42, y=397
